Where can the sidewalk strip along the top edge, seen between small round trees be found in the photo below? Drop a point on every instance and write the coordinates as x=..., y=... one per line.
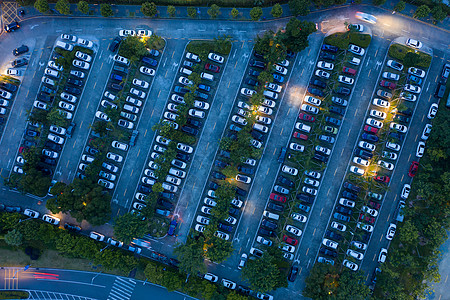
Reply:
x=133, y=11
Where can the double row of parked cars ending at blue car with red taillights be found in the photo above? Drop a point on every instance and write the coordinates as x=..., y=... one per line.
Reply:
x=196, y=114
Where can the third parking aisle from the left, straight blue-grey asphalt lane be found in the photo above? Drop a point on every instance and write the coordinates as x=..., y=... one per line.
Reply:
x=154, y=105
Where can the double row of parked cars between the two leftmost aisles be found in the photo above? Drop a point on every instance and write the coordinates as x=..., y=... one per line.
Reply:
x=51, y=93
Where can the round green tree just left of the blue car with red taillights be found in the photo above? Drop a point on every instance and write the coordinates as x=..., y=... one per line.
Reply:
x=129, y=226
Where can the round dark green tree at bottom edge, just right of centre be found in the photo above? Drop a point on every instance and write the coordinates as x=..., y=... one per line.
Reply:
x=263, y=274
